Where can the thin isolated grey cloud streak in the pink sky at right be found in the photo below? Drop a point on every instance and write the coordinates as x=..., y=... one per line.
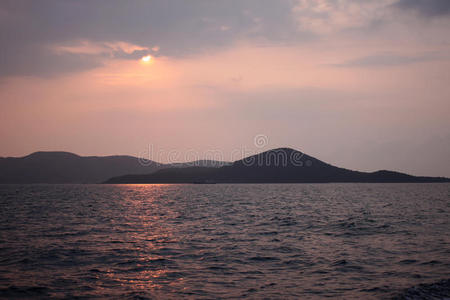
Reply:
x=387, y=60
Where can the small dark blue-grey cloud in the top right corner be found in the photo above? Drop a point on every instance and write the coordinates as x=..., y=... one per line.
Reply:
x=428, y=8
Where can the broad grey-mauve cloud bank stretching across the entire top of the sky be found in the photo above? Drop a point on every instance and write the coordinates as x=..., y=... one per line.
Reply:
x=82, y=34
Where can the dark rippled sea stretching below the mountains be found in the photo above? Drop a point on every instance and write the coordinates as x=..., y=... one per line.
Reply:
x=222, y=241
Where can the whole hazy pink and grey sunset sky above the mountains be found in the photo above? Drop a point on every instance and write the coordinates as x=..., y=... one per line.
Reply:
x=359, y=84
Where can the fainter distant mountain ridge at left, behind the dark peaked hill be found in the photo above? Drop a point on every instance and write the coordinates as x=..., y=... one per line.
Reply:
x=65, y=167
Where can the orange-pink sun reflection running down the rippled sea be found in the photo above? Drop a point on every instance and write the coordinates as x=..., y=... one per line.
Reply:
x=150, y=237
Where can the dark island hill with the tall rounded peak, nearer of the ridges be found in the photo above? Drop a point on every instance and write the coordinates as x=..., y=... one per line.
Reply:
x=283, y=165
